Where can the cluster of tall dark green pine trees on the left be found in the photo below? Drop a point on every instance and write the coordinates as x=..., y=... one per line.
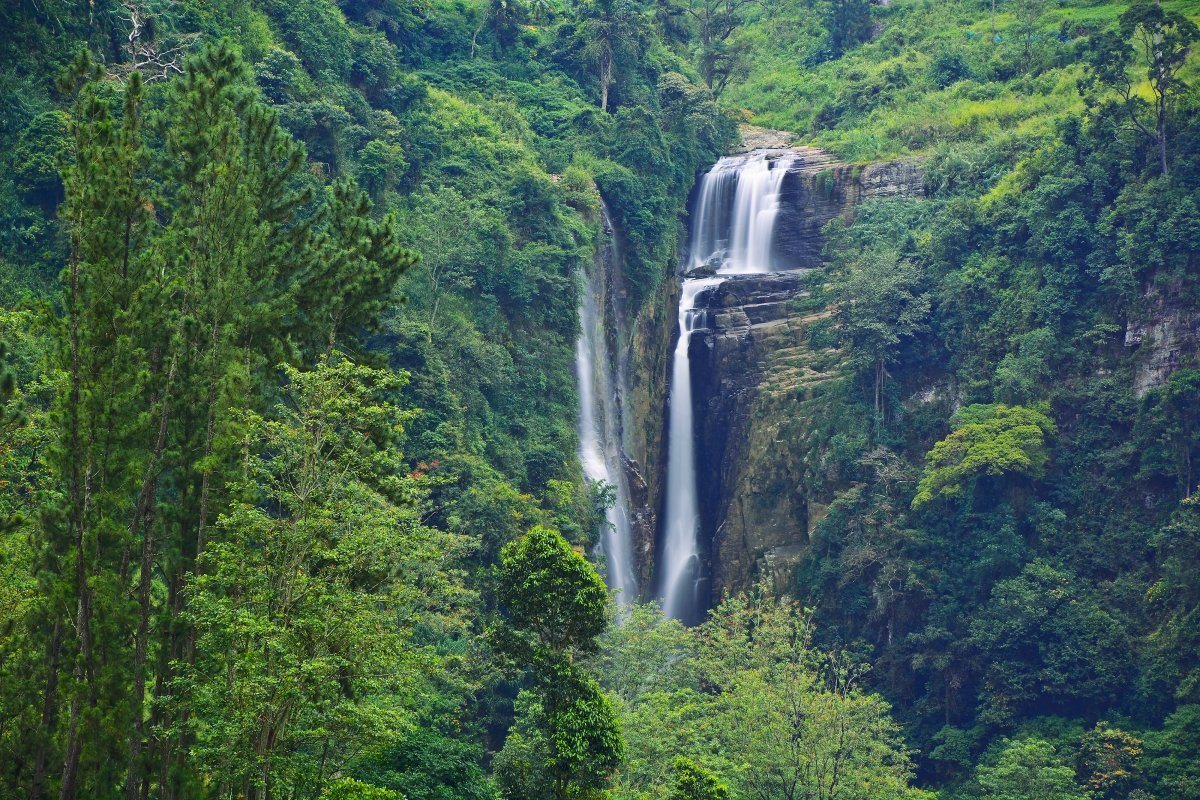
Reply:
x=188, y=263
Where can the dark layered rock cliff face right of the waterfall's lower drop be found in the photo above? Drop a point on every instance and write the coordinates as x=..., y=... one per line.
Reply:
x=753, y=370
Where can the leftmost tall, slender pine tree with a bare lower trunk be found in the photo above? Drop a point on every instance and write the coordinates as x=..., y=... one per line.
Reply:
x=101, y=447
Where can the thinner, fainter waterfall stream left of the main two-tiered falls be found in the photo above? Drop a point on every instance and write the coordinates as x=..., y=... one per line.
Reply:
x=601, y=423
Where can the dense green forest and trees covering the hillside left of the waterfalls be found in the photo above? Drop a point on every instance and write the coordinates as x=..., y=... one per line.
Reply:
x=289, y=316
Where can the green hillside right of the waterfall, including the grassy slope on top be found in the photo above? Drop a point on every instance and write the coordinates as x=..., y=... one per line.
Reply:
x=1009, y=476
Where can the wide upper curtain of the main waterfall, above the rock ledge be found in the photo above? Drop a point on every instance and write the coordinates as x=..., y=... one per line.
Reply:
x=737, y=203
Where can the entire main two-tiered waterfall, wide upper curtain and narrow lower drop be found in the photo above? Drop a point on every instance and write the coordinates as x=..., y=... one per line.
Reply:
x=734, y=230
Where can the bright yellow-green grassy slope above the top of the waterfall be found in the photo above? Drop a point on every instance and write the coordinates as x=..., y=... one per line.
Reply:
x=885, y=100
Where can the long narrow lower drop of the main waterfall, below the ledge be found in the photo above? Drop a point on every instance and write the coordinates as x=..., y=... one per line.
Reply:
x=681, y=549
